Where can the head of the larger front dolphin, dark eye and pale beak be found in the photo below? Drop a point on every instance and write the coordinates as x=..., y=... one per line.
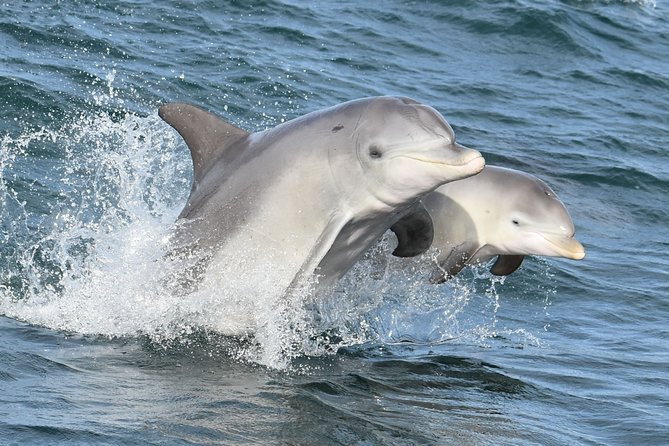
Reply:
x=407, y=149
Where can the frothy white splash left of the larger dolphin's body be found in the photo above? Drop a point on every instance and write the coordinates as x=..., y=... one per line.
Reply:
x=88, y=263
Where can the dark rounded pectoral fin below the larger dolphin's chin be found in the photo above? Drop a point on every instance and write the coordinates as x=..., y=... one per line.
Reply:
x=414, y=233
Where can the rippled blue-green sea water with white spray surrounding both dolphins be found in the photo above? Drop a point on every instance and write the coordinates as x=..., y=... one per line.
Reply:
x=561, y=352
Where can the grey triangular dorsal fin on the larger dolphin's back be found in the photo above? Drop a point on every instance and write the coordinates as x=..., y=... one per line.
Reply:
x=206, y=134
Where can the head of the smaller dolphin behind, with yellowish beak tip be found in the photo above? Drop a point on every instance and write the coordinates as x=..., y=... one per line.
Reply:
x=522, y=215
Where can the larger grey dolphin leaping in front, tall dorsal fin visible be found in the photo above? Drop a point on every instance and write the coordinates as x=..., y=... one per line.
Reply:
x=312, y=194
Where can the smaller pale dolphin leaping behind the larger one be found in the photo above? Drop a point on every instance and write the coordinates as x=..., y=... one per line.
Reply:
x=499, y=212
